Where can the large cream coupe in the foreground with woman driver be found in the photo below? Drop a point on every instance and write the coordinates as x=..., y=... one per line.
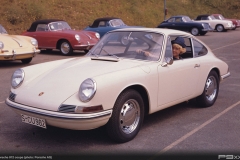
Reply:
x=117, y=85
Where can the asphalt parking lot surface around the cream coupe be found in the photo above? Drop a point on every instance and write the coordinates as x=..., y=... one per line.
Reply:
x=181, y=129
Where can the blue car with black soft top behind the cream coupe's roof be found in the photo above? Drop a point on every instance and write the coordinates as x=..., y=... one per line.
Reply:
x=105, y=24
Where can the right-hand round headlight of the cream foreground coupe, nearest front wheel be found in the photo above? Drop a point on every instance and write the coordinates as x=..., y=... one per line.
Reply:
x=87, y=90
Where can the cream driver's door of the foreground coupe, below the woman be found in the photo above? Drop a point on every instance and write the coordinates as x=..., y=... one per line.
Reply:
x=177, y=82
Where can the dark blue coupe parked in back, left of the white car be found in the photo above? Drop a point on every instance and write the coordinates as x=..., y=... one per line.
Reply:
x=184, y=23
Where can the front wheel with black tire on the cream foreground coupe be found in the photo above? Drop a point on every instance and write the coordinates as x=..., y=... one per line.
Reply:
x=127, y=116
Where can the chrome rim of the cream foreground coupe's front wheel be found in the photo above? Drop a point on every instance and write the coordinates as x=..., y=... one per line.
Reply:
x=129, y=116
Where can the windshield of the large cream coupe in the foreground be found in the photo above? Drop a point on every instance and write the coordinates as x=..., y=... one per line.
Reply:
x=129, y=45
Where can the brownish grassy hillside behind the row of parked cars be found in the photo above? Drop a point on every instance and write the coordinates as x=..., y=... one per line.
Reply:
x=17, y=15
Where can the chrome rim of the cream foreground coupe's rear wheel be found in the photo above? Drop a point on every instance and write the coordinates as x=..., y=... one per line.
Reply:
x=211, y=88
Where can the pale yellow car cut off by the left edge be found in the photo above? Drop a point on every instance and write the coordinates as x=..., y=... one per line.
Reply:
x=17, y=47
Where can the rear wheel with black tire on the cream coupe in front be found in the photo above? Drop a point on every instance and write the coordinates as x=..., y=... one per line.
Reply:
x=210, y=92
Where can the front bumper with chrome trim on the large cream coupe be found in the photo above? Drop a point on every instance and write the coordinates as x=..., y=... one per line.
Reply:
x=74, y=121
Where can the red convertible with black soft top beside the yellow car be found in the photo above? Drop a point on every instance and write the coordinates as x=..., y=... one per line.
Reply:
x=57, y=34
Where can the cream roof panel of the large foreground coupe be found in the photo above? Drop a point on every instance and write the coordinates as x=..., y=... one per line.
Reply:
x=157, y=30
